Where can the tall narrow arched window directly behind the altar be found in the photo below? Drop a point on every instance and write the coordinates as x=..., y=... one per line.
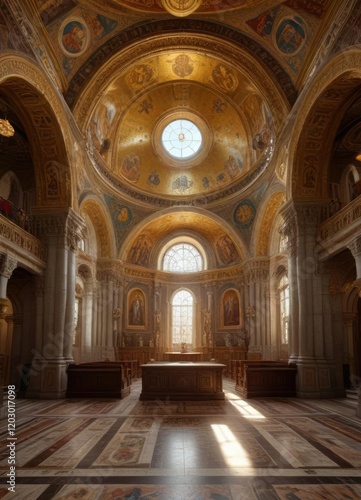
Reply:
x=182, y=318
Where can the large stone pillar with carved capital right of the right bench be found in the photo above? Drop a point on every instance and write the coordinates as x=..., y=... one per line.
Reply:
x=315, y=375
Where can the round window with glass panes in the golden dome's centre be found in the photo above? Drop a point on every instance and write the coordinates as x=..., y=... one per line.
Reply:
x=182, y=139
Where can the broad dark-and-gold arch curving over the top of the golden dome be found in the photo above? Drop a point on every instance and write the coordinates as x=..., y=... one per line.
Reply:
x=205, y=35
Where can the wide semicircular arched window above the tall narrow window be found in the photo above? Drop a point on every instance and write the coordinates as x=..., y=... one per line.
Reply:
x=182, y=258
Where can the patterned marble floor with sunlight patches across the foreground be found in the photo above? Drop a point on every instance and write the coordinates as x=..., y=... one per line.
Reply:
x=234, y=449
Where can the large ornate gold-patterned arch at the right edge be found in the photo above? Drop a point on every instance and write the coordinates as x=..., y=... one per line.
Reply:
x=314, y=129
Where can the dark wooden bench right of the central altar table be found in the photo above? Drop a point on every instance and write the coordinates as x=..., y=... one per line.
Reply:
x=266, y=378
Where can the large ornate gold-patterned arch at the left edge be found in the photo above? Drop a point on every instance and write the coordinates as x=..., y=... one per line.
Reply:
x=43, y=116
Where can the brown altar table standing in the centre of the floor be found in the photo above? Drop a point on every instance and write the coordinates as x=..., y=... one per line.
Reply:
x=182, y=381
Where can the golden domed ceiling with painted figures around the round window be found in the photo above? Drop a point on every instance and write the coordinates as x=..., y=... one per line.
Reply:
x=125, y=128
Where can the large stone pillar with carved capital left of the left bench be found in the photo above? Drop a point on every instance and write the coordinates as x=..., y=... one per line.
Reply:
x=61, y=232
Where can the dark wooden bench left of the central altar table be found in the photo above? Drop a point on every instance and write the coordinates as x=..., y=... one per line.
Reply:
x=97, y=380
